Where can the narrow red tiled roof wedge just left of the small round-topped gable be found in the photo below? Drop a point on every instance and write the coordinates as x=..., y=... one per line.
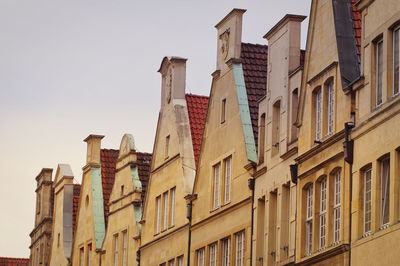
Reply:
x=108, y=159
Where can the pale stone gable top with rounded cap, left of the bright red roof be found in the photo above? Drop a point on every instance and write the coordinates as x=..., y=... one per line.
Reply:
x=173, y=82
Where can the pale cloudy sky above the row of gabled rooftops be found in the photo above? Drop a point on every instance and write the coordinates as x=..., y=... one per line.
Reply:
x=70, y=68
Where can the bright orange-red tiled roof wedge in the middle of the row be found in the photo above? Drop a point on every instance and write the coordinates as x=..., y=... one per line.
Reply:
x=197, y=109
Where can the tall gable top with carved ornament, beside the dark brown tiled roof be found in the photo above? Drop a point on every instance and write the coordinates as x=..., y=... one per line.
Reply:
x=229, y=39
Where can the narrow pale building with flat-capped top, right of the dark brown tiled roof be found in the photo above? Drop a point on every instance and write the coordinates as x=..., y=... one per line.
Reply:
x=275, y=194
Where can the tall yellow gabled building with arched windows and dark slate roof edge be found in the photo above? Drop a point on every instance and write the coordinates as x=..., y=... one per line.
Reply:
x=325, y=105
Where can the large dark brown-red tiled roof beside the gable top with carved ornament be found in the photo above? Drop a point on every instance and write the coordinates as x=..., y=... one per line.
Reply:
x=254, y=61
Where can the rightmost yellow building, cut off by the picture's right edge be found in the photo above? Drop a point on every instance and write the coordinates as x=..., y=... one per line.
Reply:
x=375, y=228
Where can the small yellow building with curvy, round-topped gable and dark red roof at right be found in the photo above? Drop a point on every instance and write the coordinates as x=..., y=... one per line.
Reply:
x=125, y=203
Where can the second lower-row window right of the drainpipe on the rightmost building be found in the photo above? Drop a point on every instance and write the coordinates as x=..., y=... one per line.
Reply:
x=385, y=190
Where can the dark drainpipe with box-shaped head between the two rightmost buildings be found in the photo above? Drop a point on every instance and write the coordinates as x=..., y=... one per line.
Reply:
x=348, y=146
